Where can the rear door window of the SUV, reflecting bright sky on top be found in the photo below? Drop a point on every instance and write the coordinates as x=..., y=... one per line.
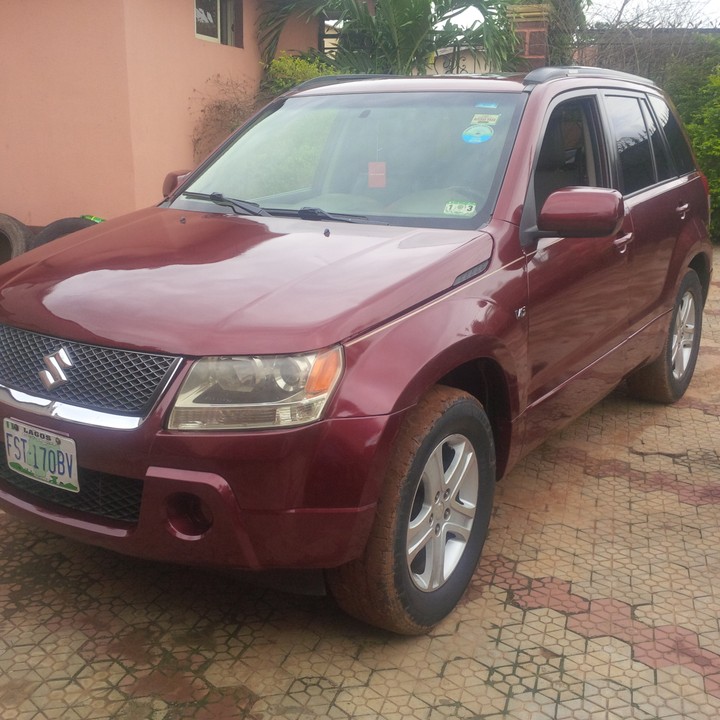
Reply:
x=637, y=170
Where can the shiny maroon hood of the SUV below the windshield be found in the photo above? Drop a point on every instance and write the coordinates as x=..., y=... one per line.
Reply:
x=195, y=284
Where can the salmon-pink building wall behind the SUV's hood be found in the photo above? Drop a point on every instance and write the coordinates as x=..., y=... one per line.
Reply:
x=100, y=98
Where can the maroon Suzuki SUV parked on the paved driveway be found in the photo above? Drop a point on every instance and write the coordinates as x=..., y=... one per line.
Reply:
x=328, y=342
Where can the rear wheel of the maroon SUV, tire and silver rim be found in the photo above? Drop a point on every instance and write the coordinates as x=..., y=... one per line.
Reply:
x=666, y=379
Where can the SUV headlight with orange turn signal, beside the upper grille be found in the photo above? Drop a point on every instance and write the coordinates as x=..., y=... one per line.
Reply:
x=225, y=393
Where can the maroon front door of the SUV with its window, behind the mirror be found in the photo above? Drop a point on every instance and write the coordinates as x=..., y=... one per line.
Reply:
x=577, y=287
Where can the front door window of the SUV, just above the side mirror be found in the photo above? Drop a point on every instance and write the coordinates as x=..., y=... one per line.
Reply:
x=570, y=153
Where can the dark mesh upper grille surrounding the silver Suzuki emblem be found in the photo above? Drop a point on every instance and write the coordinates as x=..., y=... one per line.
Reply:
x=101, y=378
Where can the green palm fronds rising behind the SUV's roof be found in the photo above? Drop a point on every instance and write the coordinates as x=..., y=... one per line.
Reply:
x=397, y=36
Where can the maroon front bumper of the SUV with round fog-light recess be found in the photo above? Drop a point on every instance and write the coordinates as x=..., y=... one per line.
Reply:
x=300, y=498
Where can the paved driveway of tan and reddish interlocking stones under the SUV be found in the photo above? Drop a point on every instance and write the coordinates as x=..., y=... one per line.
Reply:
x=598, y=597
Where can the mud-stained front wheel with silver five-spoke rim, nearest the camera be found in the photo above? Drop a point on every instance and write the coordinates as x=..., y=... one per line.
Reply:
x=394, y=584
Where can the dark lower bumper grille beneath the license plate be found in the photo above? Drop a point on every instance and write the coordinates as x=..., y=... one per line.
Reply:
x=108, y=496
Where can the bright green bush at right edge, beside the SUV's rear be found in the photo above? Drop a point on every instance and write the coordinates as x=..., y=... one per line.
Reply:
x=704, y=130
